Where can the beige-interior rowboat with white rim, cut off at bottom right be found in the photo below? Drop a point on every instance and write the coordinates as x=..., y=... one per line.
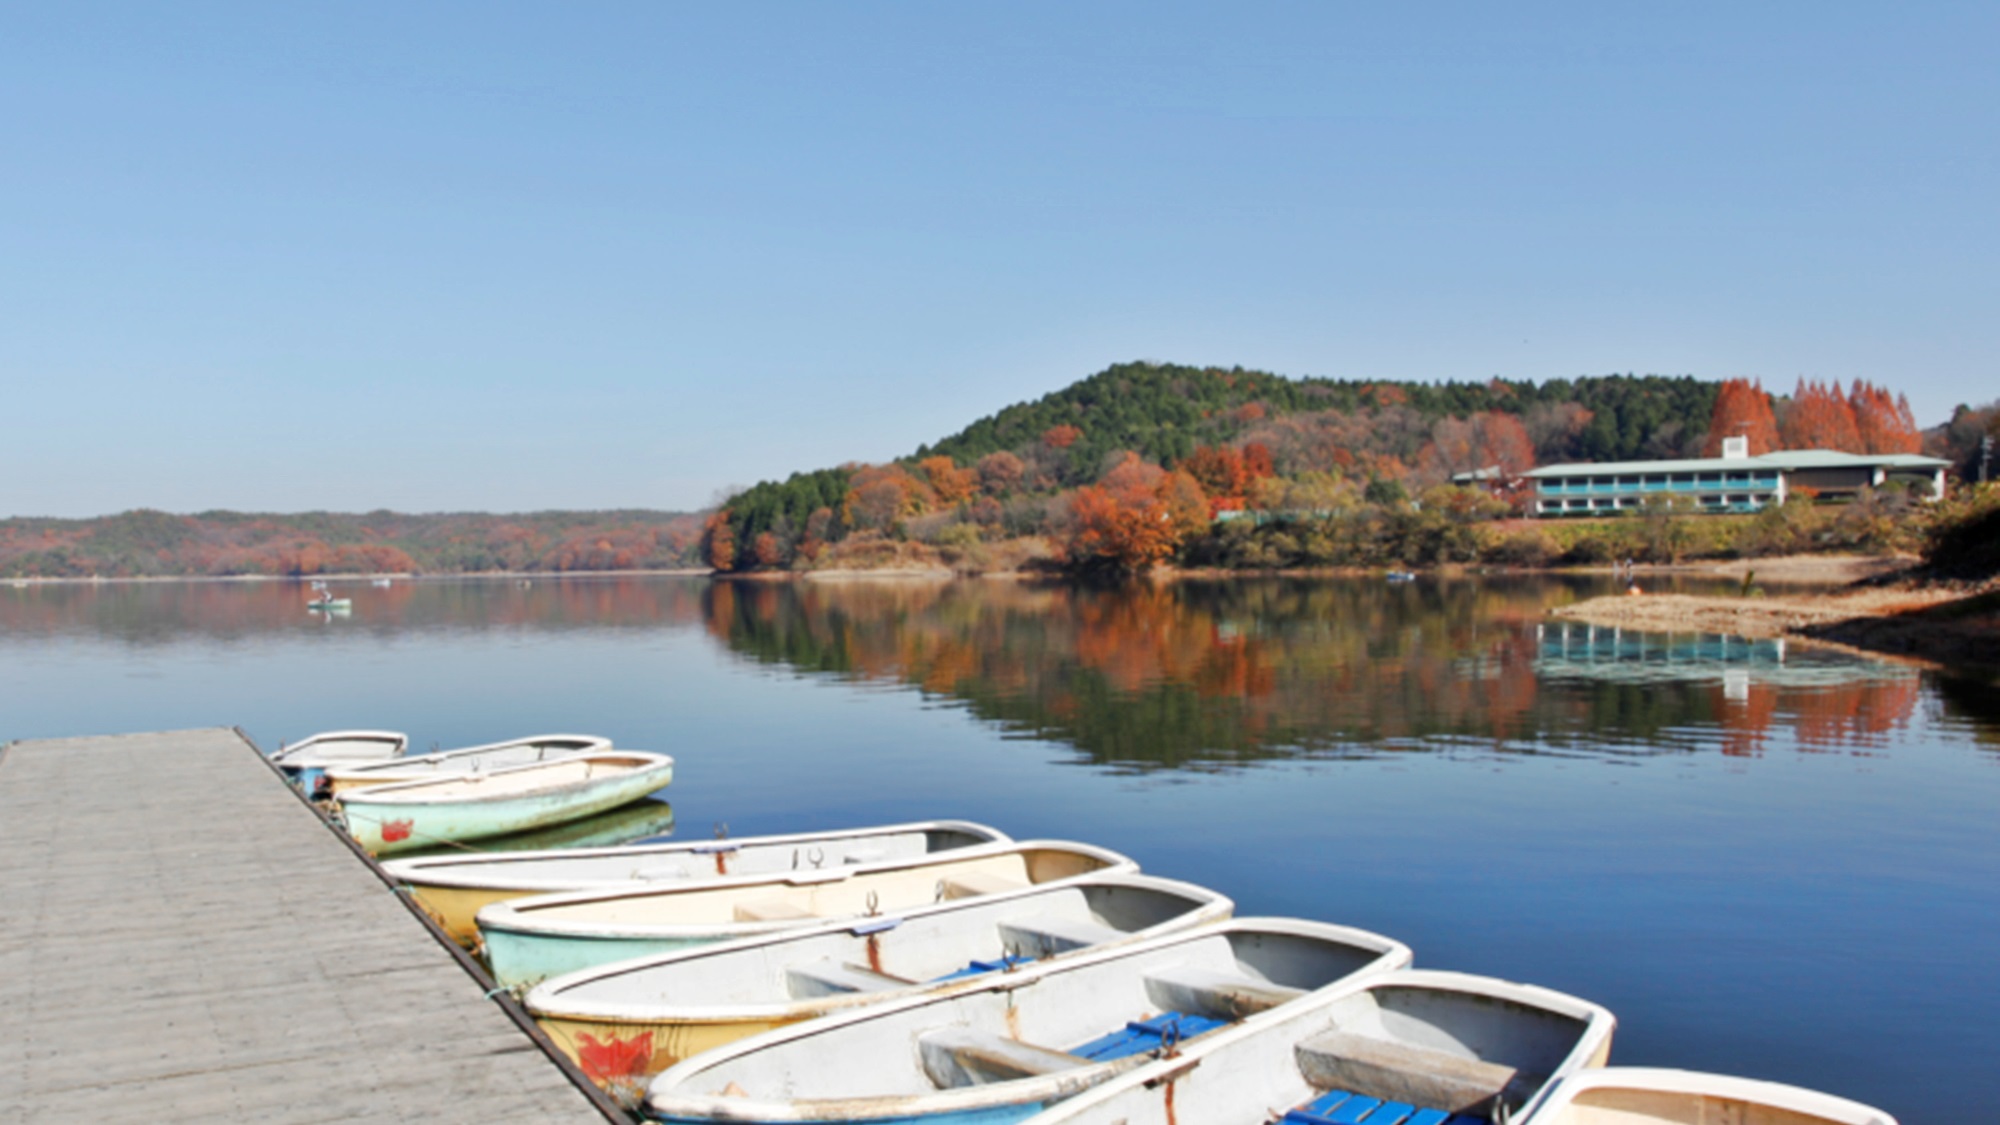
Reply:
x=1643, y=1096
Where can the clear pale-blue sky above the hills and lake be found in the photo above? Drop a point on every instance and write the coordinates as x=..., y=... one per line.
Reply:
x=625, y=255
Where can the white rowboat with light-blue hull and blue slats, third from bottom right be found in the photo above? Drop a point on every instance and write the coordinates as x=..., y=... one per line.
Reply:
x=1017, y=1042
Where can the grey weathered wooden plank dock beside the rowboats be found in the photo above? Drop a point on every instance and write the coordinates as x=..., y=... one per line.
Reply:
x=185, y=940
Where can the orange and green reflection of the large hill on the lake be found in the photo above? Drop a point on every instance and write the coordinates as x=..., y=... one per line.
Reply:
x=1233, y=672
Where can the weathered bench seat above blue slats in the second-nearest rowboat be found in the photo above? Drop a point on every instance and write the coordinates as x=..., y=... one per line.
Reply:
x=1395, y=1072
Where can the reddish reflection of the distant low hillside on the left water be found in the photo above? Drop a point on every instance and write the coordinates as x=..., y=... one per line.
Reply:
x=159, y=614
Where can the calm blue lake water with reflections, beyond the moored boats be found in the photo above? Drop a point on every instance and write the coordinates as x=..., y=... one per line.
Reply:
x=1767, y=860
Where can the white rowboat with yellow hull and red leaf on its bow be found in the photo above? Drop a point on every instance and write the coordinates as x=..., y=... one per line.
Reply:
x=631, y=1020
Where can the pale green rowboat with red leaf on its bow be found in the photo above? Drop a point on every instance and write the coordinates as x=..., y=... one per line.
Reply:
x=477, y=806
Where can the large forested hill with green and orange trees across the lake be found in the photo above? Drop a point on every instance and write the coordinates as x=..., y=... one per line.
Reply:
x=1229, y=439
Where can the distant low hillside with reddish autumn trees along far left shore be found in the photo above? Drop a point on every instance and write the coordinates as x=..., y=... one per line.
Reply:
x=147, y=543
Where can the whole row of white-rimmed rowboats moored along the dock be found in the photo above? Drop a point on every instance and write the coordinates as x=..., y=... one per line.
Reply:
x=943, y=972
